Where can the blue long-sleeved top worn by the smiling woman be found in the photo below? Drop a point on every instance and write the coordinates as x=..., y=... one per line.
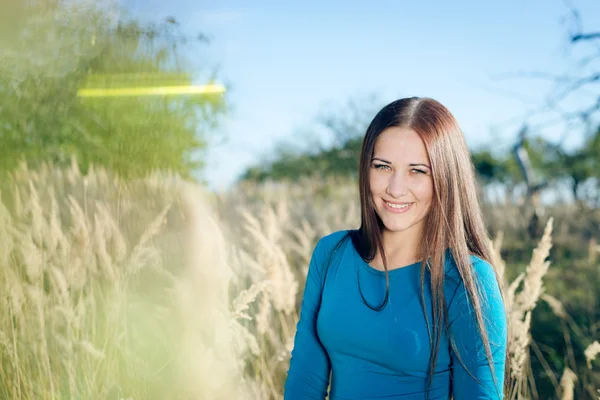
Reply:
x=385, y=354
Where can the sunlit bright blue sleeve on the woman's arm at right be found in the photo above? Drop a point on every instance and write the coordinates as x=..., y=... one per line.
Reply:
x=468, y=350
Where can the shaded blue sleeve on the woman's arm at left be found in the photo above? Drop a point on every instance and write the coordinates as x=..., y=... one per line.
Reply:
x=308, y=375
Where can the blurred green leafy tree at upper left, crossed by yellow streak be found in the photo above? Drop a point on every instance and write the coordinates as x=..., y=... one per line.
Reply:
x=54, y=48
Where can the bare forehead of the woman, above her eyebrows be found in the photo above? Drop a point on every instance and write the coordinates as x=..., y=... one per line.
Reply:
x=399, y=143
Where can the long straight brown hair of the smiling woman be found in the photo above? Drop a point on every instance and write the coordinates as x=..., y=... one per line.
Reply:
x=454, y=220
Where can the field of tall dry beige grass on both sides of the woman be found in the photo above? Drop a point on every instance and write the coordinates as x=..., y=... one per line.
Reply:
x=158, y=289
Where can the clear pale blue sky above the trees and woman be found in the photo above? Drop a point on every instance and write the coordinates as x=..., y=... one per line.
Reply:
x=287, y=62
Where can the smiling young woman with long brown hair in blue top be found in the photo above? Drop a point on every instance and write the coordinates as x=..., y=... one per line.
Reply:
x=408, y=306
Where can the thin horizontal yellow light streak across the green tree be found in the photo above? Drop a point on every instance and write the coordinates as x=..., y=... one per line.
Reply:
x=152, y=91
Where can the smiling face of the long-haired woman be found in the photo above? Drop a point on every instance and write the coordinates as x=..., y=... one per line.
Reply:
x=400, y=180
